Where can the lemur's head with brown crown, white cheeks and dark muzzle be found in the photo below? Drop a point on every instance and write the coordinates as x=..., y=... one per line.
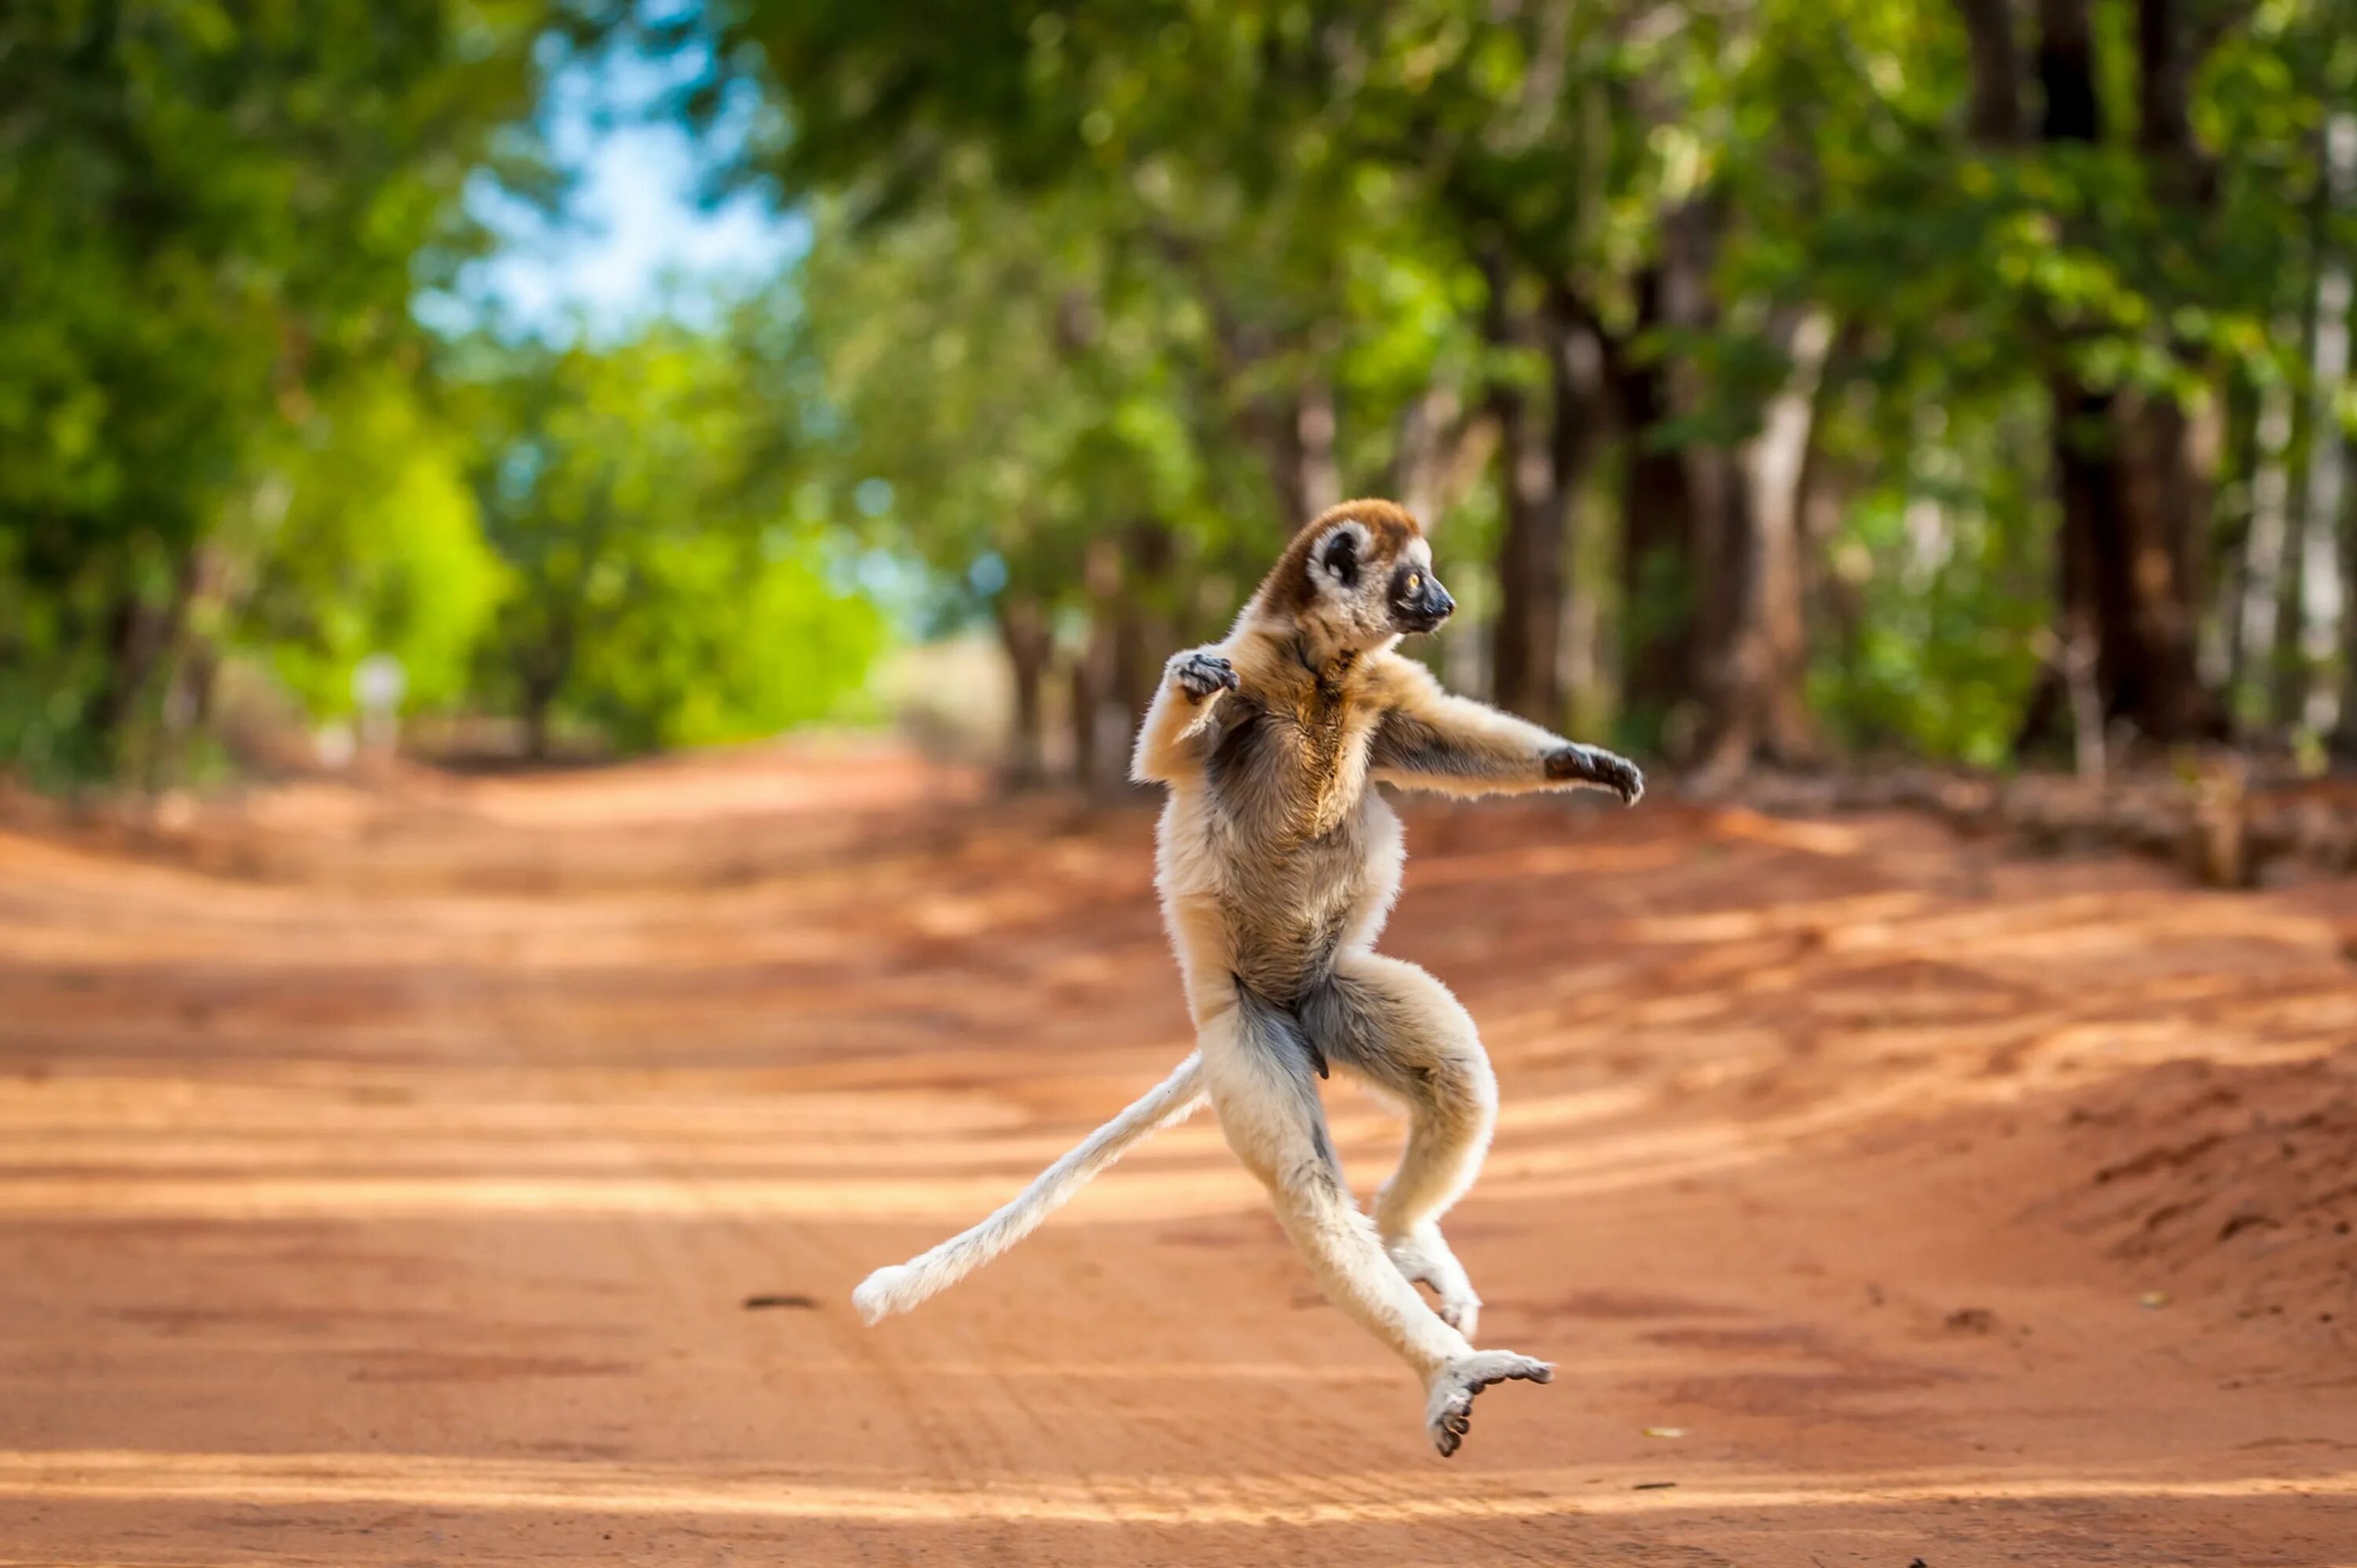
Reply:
x=1359, y=577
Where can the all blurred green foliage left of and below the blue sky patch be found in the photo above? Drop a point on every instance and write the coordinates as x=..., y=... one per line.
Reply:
x=225, y=435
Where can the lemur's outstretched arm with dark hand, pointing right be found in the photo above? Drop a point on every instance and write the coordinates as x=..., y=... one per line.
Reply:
x=1437, y=742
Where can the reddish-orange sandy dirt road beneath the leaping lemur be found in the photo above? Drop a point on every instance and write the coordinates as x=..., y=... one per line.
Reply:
x=475, y=1173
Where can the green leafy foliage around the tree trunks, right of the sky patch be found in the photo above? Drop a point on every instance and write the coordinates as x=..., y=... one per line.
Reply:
x=1340, y=192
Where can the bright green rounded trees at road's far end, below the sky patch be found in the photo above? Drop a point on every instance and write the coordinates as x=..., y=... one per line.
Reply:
x=659, y=586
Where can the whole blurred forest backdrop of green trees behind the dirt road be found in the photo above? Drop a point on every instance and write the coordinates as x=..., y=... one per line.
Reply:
x=1783, y=381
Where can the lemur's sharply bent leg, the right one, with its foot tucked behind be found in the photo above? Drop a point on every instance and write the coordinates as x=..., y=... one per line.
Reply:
x=1406, y=1034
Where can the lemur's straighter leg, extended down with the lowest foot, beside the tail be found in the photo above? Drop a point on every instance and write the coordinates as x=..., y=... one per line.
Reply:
x=1265, y=1088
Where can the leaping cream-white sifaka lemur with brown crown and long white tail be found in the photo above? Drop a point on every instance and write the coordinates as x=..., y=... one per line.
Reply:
x=1276, y=869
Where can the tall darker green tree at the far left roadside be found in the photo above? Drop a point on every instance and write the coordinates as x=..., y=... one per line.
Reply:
x=216, y=216
